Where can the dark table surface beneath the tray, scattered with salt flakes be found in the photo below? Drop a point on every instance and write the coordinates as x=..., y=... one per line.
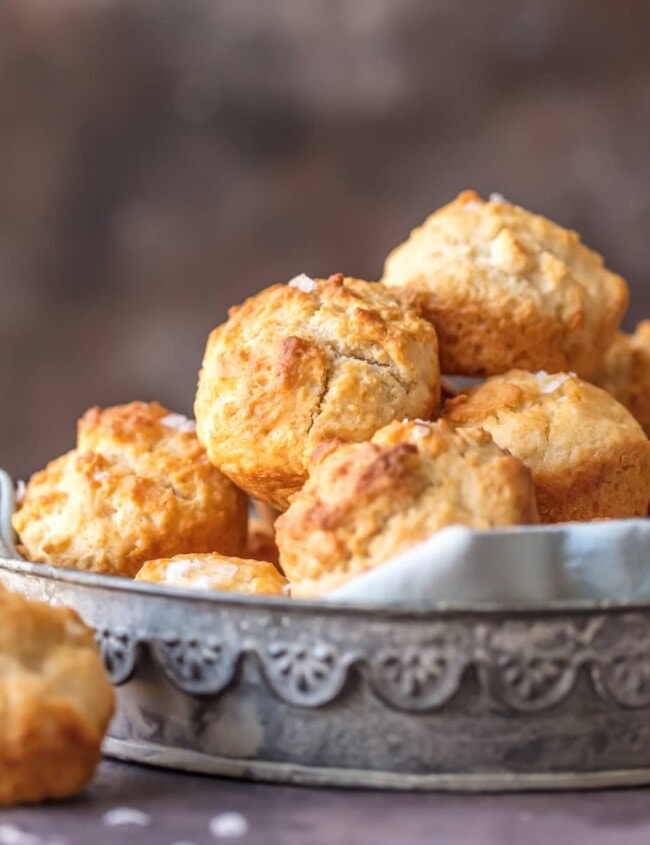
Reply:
x=180, y=808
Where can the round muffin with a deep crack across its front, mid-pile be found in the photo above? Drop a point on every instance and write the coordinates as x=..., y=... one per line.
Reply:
x=300, y=363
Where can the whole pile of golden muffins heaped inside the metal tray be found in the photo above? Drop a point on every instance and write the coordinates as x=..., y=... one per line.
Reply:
x=322, y=401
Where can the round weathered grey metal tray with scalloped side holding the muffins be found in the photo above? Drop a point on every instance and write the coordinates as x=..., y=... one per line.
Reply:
x=442, y=697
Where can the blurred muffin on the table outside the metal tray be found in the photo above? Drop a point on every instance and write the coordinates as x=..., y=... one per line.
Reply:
x=55, y=701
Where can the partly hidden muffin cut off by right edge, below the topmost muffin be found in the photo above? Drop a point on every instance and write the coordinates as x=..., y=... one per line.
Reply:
x=626, y=373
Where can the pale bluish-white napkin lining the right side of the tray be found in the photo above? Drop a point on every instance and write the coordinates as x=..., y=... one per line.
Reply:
x=596, y=560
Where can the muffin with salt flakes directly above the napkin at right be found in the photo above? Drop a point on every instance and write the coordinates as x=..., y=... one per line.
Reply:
x=588, y=456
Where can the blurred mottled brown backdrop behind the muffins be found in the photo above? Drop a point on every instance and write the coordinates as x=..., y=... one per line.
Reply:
x=162, y=159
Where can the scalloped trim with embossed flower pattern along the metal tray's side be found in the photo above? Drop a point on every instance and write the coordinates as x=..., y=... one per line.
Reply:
x=578, y=656
